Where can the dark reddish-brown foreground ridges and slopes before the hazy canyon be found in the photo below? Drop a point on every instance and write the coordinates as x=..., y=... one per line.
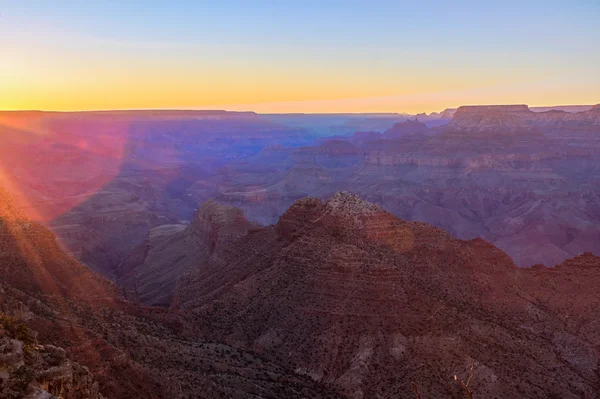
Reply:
x=339, y=298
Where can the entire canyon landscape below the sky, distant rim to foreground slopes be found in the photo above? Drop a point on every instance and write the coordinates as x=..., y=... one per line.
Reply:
x=221, y=254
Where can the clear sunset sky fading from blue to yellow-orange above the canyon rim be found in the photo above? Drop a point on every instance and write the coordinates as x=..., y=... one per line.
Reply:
x=297, y=55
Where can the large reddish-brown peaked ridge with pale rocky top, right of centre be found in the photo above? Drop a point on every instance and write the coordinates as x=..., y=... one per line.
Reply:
x=347, y=293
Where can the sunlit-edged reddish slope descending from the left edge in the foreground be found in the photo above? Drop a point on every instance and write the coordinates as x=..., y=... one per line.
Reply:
x=112, y=346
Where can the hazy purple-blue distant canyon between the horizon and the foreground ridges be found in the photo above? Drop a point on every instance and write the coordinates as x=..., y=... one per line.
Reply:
x=524, y=179
